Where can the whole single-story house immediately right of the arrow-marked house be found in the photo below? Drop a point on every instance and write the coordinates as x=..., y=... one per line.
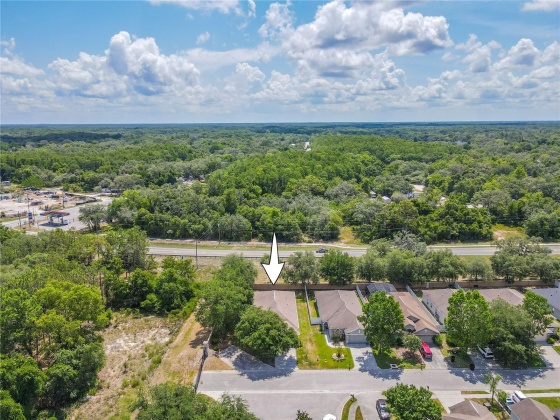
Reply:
x=339, y=311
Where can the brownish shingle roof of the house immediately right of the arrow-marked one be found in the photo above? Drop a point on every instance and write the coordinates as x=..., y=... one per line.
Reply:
x=340, y=308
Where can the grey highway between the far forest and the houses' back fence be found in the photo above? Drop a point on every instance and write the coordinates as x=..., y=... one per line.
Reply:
x=354, y=252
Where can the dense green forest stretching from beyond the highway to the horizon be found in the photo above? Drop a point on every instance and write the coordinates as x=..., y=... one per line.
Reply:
x=238, y=182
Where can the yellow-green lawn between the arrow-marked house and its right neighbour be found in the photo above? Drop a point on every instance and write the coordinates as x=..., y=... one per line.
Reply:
x=314, y=352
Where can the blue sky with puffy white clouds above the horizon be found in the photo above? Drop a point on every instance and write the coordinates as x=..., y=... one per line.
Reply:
x=175, y=61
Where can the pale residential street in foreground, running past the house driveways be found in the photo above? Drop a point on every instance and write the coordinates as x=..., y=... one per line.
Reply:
x=278, y=395
